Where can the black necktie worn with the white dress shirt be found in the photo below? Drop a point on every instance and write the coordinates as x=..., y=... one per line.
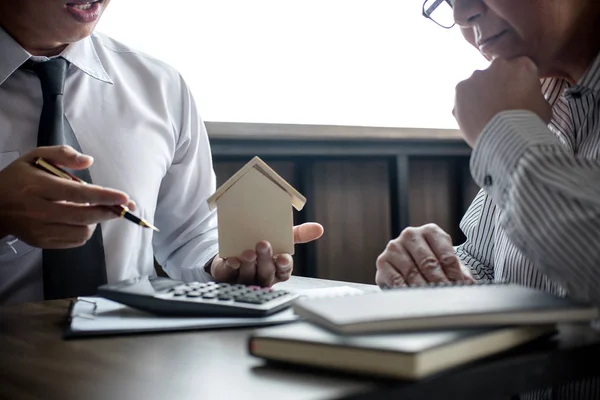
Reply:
x=77, y=271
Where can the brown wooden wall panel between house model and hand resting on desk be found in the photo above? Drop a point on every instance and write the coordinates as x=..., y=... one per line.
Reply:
x=351, y=198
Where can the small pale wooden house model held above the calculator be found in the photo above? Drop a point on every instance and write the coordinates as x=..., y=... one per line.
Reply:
x=255, y=204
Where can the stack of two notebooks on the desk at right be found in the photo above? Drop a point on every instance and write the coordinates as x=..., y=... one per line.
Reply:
x=412, y=333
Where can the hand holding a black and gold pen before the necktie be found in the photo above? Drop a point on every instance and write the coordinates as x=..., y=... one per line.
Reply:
x=50, y=212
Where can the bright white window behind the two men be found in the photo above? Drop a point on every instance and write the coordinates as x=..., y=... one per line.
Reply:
x=330, y=62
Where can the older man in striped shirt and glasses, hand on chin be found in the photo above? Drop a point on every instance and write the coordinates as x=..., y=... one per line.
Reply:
x=536, y=155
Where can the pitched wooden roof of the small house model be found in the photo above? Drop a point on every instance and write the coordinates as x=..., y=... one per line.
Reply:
x=256, y=163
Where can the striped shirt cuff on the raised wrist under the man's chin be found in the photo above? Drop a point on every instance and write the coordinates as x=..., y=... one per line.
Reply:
x=502, y=144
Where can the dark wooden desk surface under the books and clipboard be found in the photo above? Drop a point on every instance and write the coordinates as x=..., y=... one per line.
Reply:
x=35, y=362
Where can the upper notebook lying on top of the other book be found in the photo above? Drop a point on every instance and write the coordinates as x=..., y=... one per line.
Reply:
x=442, y=307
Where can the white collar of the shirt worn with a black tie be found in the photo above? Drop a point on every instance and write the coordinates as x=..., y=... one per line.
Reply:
x=81, y=54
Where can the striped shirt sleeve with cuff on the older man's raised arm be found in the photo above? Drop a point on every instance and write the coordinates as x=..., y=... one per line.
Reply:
x=550, y=198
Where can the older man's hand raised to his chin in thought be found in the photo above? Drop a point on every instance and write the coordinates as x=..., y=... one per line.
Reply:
x=505, y=85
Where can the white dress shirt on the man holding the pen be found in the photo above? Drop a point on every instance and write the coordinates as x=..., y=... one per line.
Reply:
x=137, y=118
